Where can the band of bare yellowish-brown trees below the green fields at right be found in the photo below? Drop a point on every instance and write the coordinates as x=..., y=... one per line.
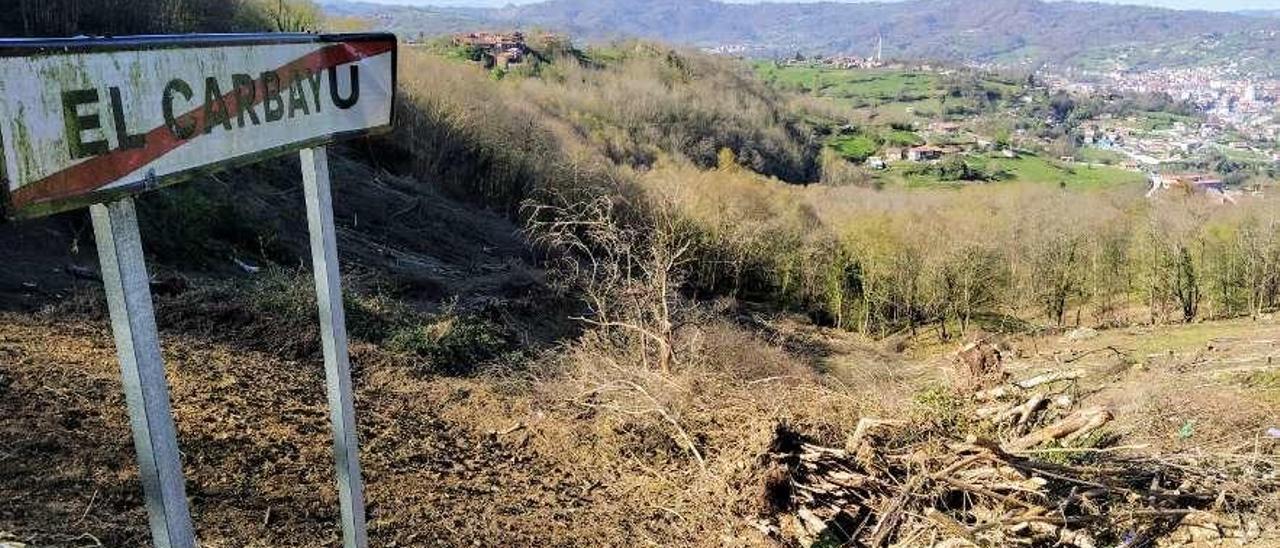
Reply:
x=1003, y=258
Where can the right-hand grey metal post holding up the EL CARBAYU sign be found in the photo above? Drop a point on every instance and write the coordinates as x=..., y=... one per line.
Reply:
x=333, y=335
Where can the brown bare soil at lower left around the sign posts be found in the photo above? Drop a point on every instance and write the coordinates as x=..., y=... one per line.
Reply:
x=254, y=433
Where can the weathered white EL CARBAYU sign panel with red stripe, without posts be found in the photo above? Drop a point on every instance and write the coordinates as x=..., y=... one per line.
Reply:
x=86, y=121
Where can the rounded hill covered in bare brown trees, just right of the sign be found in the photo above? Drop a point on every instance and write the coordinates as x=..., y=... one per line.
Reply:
x=579, y=118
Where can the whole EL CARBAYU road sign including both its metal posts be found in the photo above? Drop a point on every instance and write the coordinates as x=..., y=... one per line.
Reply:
x=92, y=122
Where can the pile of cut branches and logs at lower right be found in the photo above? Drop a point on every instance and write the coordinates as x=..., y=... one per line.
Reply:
x=1022, y=486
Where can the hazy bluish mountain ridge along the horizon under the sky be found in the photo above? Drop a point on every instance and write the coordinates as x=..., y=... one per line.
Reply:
x=1007, y=31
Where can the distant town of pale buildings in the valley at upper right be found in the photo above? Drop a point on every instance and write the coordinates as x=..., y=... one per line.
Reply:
x=1232, y=121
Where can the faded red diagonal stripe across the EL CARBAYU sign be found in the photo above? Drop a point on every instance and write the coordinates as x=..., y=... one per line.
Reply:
x=102, y=171
